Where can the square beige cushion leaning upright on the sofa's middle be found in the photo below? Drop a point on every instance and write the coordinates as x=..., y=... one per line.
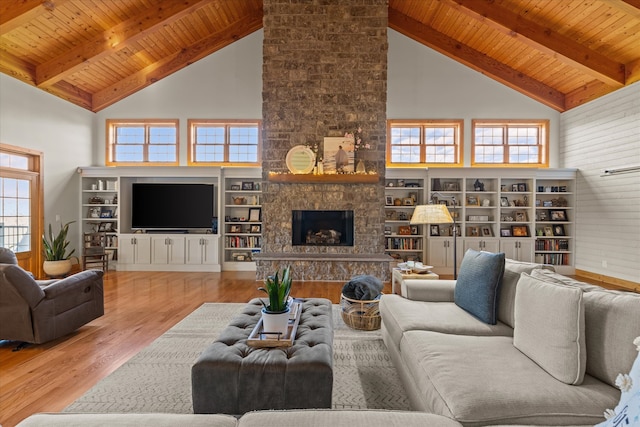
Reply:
x=550, y=327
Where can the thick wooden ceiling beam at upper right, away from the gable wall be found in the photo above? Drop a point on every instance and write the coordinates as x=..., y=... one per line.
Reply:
x=541, y=38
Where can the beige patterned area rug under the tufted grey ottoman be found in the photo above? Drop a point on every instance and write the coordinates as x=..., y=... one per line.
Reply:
x=158, y=378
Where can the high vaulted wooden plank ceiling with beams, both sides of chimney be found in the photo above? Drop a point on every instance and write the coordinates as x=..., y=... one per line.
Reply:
x=94, y=53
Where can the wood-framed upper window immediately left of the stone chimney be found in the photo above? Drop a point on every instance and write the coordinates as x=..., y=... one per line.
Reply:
x=214, y=142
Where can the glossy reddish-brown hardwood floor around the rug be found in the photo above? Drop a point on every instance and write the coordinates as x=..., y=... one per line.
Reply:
x=139, y=307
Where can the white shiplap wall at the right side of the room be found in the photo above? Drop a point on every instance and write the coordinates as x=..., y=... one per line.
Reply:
x=600, y=135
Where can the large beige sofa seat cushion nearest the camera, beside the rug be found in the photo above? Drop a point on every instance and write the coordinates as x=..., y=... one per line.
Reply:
x=485, y=380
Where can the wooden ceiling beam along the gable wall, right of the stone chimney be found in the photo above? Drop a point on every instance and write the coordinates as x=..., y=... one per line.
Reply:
x=476, y=60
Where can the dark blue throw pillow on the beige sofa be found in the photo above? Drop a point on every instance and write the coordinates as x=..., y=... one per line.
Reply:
x=478, y=284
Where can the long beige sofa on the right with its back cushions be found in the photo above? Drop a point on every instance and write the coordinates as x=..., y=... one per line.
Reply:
x=549, y=356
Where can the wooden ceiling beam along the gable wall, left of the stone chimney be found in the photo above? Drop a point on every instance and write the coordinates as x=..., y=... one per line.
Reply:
x=200, y=49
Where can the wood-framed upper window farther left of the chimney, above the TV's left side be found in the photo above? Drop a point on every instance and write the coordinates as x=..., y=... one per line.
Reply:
x=140, y=142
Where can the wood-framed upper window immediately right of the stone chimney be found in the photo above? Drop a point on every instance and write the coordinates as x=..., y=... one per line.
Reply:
x=424, y=143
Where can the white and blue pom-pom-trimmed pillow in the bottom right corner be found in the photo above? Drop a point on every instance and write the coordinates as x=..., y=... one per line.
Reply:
x=627, y=413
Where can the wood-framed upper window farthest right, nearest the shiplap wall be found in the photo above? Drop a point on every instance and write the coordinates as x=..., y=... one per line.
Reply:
x=510, y=142
